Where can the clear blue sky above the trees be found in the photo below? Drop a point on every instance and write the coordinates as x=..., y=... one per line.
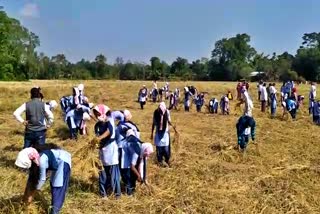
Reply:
x=137, y=30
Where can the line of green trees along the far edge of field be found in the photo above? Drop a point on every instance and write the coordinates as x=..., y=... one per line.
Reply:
x=231, y=59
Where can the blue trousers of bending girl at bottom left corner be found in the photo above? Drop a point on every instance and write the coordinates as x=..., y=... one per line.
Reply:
x=59, y=193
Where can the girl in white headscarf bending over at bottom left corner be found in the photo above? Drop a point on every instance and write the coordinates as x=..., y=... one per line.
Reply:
x=39, y=160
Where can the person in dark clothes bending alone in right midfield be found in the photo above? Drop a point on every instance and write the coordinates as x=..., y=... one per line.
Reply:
x=245, y=128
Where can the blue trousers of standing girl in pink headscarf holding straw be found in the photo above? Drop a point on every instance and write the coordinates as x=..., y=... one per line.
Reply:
x=109, y=179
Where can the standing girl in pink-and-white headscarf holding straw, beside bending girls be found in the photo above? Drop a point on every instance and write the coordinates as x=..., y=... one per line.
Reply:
x=109, y=179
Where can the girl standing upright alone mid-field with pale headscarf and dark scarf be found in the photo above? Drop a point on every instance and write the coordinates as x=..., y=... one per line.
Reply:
x=161, y=122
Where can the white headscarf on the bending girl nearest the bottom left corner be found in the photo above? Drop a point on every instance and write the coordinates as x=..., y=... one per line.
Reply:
x=26, y=156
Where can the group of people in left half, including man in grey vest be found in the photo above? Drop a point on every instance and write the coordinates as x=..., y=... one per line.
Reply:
x=121, y=151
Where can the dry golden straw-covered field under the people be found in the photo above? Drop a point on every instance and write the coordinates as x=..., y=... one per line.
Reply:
x=280, y=174
